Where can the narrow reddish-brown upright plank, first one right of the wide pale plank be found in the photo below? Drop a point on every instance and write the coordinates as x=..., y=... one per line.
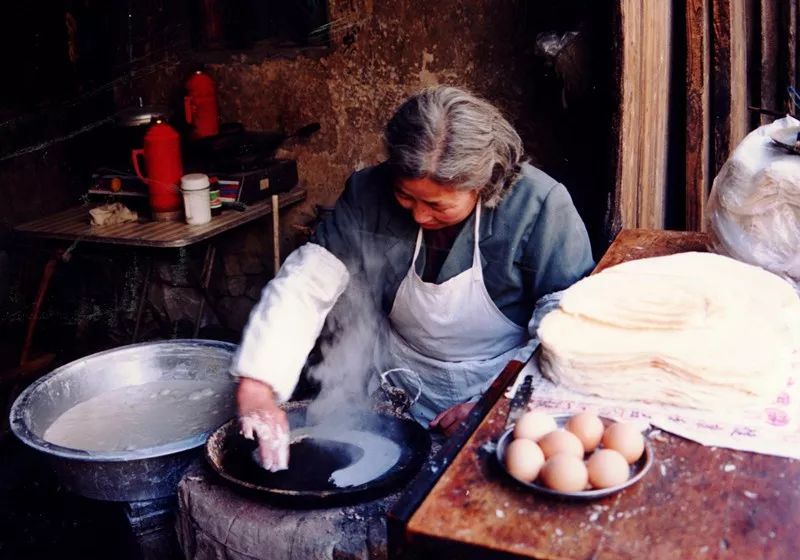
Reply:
x=698, y=119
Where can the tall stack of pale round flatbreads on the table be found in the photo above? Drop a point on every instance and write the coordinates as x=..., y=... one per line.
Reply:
x=694, y=329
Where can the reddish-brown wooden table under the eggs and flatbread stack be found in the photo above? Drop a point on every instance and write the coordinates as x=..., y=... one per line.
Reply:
x=696, y=502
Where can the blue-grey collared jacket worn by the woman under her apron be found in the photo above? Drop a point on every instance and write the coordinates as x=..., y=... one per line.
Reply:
x=532, y=243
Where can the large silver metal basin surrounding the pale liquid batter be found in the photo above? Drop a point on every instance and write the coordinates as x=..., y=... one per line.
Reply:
x=143, y=474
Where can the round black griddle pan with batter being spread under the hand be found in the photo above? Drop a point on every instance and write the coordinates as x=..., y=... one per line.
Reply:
x=306, y=484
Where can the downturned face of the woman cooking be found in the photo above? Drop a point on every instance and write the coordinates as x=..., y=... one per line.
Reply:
x=434, y=205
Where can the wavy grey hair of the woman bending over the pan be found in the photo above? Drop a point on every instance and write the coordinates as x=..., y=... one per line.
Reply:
x=451, y=136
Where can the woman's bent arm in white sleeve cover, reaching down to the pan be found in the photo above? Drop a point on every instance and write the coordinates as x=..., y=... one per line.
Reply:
x=283, y=328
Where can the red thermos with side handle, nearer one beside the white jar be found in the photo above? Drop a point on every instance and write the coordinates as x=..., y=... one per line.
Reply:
x=162, y=156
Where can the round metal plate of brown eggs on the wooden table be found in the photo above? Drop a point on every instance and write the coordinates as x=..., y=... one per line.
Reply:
x=581, y=456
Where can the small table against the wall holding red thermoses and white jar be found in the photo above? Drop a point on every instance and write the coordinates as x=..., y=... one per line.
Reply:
x=72, y=225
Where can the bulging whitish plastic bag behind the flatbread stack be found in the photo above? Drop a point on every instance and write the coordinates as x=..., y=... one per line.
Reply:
x=754, y=207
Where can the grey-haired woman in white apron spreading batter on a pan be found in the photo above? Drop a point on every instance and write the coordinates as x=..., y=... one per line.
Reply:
x=457, y=237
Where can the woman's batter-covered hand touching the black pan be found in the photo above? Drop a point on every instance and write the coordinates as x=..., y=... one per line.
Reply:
x=261, y=419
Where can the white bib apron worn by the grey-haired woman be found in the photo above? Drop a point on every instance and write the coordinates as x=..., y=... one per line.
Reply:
x=451, y=334
